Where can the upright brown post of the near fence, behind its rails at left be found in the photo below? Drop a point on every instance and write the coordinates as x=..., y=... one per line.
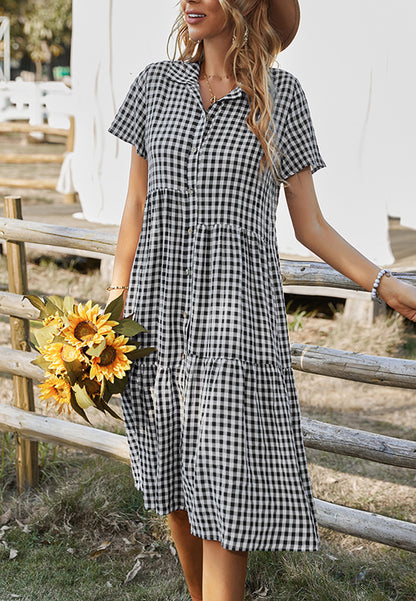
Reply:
x=27, y=468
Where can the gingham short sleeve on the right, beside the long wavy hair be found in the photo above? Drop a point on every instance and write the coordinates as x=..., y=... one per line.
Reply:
x=299, y=146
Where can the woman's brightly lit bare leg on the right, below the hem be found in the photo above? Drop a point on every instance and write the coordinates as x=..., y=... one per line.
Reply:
x=224, y=572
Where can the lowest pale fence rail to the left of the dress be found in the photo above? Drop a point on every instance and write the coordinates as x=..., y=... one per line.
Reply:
x=50, y=429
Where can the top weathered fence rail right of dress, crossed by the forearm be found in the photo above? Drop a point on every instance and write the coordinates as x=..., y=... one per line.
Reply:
x=315, y=273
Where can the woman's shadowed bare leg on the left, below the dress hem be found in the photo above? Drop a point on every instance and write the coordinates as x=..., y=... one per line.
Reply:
x=189, y=548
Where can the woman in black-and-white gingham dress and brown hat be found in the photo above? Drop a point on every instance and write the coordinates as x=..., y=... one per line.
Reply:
x=212, y=419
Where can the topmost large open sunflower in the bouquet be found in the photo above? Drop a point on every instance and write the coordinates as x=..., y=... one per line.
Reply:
x=86, y=327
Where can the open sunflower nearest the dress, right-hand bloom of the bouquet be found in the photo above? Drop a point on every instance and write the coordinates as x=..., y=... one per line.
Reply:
x=112, y=361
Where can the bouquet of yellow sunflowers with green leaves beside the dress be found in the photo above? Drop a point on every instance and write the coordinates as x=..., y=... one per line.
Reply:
x=84, y=351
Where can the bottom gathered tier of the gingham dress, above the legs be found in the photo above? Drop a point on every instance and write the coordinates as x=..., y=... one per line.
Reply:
x=222, y=439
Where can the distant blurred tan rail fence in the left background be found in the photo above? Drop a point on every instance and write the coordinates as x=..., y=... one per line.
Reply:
x=37, y=184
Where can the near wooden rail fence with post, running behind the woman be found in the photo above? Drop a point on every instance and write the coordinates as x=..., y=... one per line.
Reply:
x=30, y=428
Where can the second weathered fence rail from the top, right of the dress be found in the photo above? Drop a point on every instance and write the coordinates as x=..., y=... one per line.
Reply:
x=385, y=371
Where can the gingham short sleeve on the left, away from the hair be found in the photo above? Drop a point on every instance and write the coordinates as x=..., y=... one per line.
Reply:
x=129, y=124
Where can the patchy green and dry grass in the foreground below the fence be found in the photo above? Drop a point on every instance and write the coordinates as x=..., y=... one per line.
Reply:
x=91, y=503
